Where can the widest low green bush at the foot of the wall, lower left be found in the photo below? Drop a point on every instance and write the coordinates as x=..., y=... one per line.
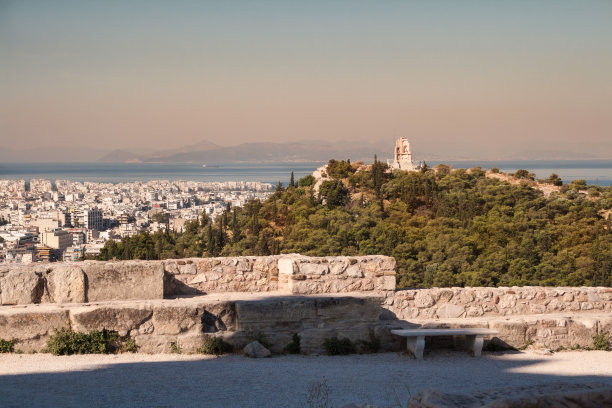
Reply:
x=66, y=342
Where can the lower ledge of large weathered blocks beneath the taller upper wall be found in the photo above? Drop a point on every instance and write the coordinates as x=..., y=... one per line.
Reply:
x=155, y=324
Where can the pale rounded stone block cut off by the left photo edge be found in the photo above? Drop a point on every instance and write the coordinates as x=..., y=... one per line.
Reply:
x=21, y=287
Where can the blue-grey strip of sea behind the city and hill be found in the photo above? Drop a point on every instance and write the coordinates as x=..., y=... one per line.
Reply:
x=595, y=172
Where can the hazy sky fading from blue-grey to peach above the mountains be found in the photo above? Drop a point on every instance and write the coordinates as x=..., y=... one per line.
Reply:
x=482, y=76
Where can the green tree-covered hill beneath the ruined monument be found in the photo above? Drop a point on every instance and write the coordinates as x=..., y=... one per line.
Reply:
x=444, y=227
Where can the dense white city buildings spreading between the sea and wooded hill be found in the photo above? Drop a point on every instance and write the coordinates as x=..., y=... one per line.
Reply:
x=42, y=221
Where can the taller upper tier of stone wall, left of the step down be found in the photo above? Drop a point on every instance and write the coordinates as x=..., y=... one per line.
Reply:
x=94, y=281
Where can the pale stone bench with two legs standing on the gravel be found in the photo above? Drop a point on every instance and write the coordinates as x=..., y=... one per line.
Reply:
x=415, y=338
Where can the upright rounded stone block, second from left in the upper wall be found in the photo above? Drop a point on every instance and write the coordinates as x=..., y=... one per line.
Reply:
x=67, y=284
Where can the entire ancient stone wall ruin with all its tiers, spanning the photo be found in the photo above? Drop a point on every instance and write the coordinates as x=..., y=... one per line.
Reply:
x=241, y=299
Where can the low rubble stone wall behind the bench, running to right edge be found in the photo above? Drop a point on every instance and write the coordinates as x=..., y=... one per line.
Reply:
x=443, y=303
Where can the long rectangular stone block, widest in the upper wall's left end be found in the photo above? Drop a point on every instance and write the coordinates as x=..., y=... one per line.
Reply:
x=124, y=280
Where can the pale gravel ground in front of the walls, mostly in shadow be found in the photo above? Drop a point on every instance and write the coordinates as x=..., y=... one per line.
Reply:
x=141, y=380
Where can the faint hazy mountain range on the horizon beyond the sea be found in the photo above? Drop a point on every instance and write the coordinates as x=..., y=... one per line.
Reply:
x=207, y=152
